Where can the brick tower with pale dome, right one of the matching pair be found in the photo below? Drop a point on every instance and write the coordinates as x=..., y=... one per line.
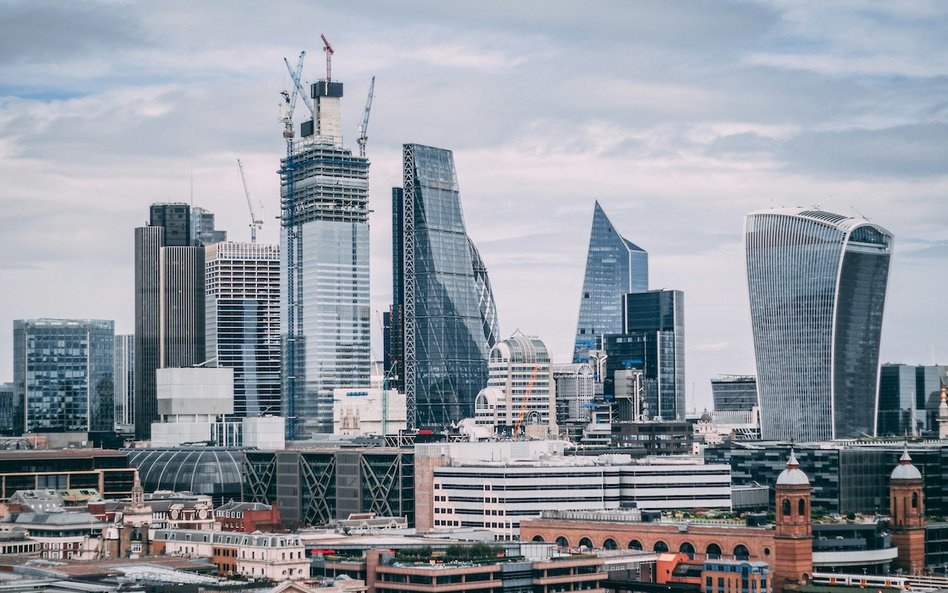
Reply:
x=907, y=512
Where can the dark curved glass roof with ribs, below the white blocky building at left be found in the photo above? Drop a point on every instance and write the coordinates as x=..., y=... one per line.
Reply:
x=214, y=471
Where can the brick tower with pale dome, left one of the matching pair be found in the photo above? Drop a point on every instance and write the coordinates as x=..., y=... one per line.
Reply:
x=793, y=538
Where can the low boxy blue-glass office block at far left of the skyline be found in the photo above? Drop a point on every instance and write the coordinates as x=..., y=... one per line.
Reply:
x=62, y=374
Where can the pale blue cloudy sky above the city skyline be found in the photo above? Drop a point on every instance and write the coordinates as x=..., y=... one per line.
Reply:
x=680, y=117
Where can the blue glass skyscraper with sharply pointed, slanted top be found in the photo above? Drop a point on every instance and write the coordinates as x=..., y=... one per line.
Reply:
x=614, y=266
